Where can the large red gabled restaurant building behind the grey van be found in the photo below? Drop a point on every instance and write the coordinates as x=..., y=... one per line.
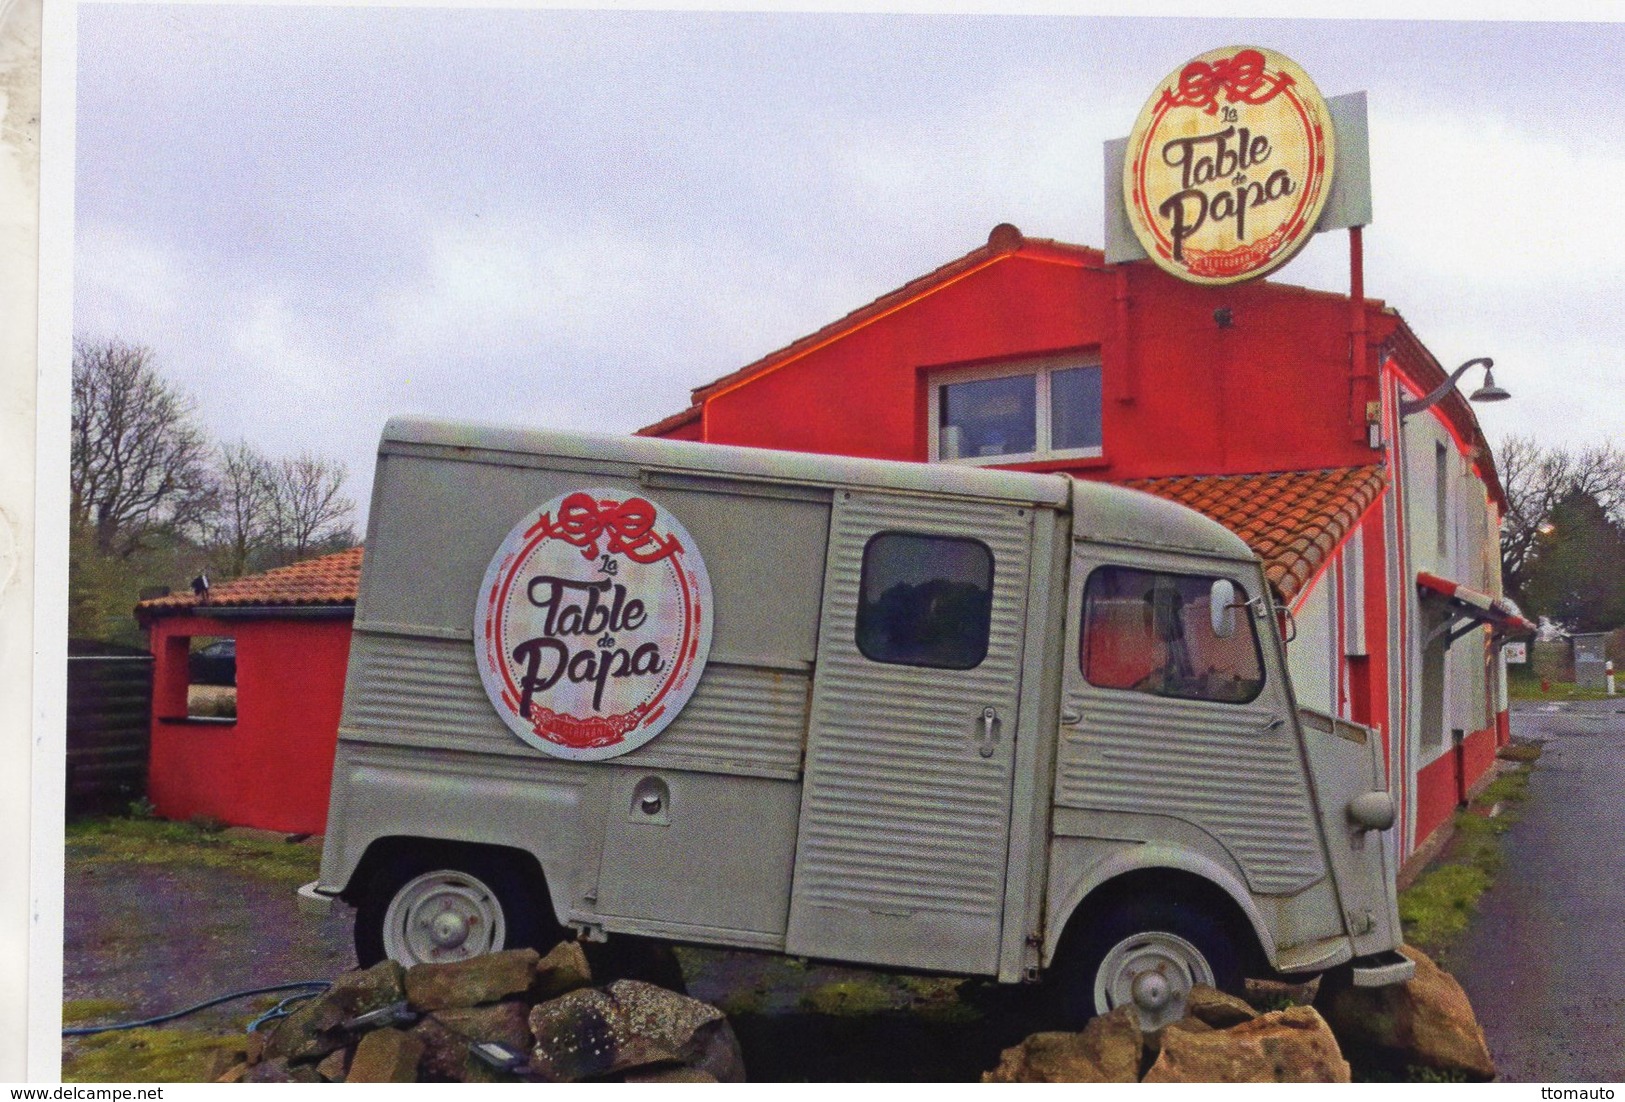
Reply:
x=1273, y=409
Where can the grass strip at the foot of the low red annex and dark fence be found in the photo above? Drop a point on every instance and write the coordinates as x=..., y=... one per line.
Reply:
x=110, y=841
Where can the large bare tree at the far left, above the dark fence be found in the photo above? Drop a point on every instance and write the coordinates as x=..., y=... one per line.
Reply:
x=137, y=461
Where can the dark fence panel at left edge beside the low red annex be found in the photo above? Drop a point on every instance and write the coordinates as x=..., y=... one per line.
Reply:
x=110, y=726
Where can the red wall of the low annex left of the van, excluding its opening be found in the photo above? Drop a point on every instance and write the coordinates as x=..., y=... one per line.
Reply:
x=272, y=768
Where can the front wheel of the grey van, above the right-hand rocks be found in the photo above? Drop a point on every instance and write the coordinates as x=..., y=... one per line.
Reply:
x=1150, y=957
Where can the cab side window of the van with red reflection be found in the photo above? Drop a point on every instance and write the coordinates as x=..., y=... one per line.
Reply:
x=1153, y=633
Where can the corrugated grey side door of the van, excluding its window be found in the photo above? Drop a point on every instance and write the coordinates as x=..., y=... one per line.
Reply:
x=903, y=818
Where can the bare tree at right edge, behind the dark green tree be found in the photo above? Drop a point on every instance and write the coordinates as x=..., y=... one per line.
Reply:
x=1536, y=480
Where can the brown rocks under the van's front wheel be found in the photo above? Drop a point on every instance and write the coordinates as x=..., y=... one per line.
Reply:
x=1426, y=1023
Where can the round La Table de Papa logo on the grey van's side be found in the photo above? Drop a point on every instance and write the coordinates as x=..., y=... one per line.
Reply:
x=594, y=625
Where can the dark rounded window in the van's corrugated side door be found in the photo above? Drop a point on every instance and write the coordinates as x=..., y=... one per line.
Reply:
x=925, y=601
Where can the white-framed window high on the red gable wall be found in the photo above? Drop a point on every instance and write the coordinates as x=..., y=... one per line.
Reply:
x=1020, y=412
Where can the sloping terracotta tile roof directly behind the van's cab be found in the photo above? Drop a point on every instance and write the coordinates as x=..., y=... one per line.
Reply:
x=1293, y=519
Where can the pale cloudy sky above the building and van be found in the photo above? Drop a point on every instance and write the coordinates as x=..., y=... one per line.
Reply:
x=324, y=217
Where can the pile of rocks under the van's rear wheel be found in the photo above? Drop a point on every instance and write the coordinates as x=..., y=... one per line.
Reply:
x=496, y=1018
